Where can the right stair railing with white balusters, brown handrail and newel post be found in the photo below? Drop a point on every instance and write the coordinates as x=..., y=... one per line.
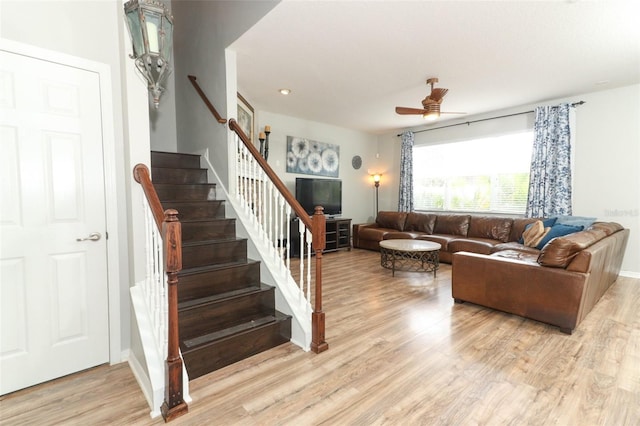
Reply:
x=270, y=205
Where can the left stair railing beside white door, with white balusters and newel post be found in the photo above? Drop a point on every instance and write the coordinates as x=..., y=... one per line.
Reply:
x=164, y=257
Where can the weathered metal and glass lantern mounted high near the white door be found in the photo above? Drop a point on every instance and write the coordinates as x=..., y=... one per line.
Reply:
x=151, y=29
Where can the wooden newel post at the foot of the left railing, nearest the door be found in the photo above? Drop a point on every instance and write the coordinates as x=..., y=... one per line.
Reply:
x=174, y=405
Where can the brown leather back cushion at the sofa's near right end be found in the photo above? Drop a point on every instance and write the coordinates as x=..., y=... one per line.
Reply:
x=559, y=252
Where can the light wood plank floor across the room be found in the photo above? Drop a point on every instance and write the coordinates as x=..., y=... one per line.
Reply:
x=401, y=353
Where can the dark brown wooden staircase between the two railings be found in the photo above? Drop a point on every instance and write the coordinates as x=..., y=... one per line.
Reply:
x=225, y=313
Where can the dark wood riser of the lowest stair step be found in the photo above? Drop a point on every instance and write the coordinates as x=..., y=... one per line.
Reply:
x=236, y=348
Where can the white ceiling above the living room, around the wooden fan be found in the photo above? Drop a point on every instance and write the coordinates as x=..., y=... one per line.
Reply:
x=349, y=63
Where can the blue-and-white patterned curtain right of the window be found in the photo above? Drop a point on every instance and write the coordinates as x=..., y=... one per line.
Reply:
x=550, y=176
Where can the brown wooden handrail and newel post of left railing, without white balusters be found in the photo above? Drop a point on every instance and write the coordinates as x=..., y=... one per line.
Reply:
x=171, y=231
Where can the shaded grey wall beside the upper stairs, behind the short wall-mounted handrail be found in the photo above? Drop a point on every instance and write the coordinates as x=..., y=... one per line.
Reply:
x=203, y=30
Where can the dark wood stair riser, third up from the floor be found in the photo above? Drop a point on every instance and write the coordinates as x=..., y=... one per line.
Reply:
x=194, y=286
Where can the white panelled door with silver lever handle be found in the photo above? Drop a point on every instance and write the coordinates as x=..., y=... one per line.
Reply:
x=53, y=288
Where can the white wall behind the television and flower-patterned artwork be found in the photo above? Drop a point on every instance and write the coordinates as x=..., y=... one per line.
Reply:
x=358, y=202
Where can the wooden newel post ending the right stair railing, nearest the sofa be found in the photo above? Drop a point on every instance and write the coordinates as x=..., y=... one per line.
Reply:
x=318, y=232
